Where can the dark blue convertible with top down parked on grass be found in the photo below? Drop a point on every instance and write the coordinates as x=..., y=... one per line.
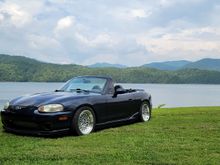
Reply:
x=79, y=106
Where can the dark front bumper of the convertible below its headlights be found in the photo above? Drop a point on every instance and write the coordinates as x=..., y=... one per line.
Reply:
x=37, y=123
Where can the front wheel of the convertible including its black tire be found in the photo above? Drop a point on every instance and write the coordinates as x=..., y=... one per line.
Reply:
x=83, y=121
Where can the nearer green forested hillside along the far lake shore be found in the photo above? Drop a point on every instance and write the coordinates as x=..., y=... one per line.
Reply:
x=24, y=69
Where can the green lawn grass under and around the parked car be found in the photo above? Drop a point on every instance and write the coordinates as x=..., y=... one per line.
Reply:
x=173, y=136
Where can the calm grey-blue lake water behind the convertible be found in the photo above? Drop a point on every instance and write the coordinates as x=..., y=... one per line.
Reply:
x=172, y=95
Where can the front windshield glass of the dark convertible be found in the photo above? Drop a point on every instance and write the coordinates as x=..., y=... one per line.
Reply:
x=90, y=84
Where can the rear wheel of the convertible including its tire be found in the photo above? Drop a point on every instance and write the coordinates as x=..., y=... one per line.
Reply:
x=145, y=112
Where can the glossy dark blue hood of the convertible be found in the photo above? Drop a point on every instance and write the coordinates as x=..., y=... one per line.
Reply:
x=49, y=98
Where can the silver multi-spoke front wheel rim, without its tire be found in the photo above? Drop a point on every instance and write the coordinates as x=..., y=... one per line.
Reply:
x=86, y=122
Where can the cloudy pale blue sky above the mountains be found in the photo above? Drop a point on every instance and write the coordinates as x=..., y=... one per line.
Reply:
x=129, y=32
